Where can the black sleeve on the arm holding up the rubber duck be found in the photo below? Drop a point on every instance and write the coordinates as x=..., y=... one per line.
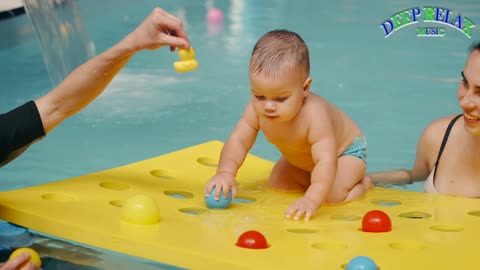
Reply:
x=19, y=128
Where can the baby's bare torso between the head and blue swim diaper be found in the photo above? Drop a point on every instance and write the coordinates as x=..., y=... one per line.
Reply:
x=292, y=138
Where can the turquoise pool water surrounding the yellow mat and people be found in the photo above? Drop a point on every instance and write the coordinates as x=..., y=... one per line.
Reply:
x=392, y=87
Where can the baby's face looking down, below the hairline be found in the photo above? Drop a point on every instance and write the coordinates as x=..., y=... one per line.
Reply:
x=279, y=99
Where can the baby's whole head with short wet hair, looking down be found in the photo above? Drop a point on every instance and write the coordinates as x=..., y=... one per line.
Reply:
x=279, y=75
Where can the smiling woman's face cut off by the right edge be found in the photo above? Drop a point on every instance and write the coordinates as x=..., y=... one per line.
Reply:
x=469, y=93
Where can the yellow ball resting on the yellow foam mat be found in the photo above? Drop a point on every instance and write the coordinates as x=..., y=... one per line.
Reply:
x=140, y=209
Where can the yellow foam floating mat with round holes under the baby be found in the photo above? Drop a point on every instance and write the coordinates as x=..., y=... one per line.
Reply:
x=429, y=231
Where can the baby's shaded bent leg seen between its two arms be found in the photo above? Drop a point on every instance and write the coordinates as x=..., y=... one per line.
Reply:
x=286, y=177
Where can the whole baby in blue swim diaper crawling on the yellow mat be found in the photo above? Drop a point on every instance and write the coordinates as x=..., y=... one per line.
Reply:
x=323, y=151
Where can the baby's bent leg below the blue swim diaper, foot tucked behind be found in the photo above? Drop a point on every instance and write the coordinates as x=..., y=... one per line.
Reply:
x=350, y=182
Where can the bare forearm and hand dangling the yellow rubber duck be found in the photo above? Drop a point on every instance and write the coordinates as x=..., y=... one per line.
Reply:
x=89, y=80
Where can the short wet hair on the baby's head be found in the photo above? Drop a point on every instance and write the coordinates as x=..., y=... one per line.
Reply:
x=277, y=51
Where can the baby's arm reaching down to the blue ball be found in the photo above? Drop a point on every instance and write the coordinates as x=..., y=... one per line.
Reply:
x=233, y=154
